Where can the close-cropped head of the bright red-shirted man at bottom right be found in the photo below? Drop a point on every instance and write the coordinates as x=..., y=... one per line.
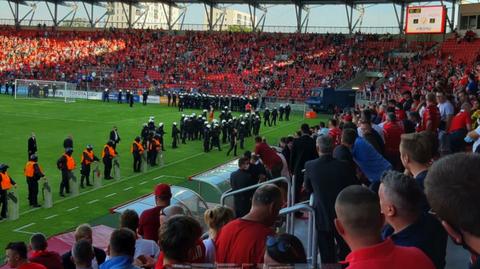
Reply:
x=358, y=209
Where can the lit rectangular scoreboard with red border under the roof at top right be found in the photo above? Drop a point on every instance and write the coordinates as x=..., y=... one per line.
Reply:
x=426, y=20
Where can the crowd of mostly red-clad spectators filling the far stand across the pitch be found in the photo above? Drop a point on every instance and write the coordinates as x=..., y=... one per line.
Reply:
x=282, y=65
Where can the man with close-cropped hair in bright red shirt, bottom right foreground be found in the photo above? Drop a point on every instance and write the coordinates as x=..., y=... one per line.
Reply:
x=359, y=221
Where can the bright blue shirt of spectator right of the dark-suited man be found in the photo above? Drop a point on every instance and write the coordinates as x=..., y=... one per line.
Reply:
x=372, y=164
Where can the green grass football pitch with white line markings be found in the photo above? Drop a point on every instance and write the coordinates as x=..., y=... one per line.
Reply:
x=90, y=122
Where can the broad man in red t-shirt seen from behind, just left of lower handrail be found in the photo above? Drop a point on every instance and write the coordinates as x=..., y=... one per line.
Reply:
x=242, y=241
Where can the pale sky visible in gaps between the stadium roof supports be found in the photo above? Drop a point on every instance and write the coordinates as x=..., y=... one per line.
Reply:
x=282, y=15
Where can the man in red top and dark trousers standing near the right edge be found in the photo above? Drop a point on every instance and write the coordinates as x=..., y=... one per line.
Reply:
x=460, y=126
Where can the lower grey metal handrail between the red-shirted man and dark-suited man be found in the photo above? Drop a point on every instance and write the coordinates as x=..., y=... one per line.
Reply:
x=312, y=246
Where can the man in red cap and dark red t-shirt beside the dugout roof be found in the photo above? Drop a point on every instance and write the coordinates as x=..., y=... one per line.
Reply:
x=150, y=219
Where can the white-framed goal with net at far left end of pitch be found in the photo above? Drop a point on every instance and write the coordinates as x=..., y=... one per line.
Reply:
x=45, y=89
